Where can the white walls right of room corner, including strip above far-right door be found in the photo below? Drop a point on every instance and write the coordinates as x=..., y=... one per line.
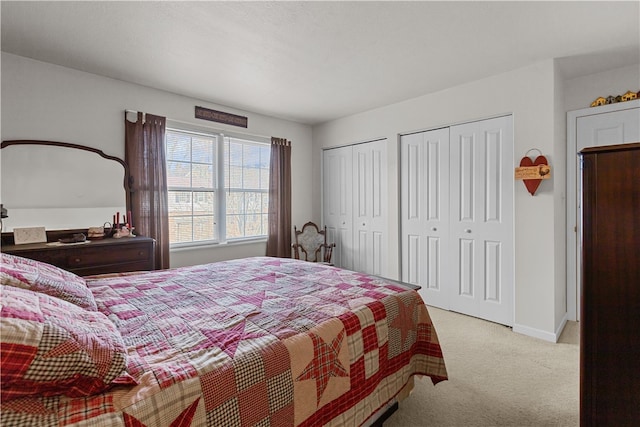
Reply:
x=538, y=97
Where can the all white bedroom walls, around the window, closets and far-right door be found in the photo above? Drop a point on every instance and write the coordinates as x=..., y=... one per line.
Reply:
x=44, y=101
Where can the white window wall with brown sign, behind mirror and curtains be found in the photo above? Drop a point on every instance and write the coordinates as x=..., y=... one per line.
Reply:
x=45, y=101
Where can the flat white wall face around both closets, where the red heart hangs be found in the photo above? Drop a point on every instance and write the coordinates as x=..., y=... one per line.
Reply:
x=528, y=94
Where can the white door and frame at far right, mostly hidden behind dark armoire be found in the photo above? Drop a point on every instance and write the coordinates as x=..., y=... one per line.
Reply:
x=611, y=128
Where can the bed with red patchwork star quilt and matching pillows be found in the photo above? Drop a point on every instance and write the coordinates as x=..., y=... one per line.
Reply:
x=257, y=341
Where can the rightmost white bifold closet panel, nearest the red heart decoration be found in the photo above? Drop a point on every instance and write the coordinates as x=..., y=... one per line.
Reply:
x=482, y=219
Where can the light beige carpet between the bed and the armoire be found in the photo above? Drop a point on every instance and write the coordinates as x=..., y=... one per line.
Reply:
x=496, y=378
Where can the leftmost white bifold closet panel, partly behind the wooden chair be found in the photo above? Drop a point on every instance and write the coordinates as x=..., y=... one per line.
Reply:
x=337, y=203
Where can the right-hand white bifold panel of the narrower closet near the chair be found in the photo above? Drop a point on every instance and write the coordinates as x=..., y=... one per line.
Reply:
x=370, y=207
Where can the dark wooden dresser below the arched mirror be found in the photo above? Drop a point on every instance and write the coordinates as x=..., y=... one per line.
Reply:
x=93, y=257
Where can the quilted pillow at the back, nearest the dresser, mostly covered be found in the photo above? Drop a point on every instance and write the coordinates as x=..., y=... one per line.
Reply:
x=47, y=279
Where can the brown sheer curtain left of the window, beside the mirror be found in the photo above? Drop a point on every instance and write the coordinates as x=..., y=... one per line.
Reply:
x=144, y=152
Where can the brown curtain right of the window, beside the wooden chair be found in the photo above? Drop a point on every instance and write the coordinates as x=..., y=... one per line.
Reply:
x=279, y=239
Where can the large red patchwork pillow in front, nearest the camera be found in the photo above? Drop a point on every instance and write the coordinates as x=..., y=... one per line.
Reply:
x=50, y=347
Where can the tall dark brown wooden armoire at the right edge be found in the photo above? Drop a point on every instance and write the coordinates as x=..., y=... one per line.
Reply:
x=610, y=323
